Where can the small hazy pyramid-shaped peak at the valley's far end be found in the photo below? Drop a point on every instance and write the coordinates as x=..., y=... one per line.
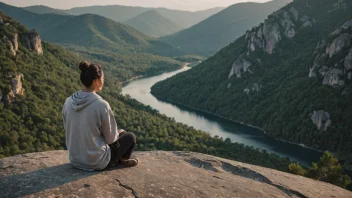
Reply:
x=153, y=24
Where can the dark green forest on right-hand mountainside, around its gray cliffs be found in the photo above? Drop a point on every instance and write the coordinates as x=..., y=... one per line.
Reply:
x=287, y=97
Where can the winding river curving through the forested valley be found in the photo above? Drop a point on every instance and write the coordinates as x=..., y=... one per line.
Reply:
x=140, y=90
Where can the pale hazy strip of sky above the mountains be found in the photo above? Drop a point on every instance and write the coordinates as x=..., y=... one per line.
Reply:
x=172, y=4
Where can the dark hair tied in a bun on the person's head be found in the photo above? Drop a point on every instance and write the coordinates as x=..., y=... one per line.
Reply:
x=89, y=73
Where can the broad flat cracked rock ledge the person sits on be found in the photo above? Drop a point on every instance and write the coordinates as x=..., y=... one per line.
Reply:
x=159, y=174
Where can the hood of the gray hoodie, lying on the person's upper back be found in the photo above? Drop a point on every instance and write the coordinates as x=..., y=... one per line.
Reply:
x=80, y=99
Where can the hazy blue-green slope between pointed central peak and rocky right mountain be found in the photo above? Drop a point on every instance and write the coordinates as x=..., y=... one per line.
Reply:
x=217, y=31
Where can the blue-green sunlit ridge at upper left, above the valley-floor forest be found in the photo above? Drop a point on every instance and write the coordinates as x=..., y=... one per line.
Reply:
x=91, y=31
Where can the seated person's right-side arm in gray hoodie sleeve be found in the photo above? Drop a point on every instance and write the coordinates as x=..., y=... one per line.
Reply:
x=109, y=126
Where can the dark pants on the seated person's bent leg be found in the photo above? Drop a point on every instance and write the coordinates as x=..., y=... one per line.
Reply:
x=122, y=148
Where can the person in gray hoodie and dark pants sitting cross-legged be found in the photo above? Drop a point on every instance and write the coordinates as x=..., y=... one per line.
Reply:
x=92, y=137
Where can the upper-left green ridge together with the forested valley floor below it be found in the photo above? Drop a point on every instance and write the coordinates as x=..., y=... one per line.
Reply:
x=102, y=40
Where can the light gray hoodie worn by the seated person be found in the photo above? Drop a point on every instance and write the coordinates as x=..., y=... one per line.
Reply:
x=90, y=126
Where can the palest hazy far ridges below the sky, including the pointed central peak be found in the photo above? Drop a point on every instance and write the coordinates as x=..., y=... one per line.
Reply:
x=154, y=22
